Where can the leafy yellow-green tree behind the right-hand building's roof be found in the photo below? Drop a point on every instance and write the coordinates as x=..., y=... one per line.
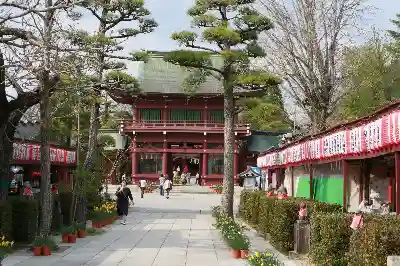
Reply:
x=371, y=76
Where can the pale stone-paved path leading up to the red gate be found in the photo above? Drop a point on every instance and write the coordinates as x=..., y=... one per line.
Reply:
x=160, y=232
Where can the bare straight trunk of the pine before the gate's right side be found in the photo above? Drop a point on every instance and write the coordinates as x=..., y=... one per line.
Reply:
x=229, y=142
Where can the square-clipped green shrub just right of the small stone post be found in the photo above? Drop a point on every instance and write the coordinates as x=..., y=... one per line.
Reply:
x=330, y=237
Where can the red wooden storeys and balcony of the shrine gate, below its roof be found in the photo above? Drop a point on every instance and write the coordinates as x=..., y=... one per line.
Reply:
x=176, y=130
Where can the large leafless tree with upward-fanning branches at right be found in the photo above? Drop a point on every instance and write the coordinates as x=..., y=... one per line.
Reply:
x=305, y=48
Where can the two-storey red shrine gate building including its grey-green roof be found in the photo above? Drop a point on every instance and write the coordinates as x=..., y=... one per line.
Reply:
x=171, y=127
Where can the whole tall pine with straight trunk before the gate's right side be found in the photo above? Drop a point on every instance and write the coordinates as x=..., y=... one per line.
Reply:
x=233, y=28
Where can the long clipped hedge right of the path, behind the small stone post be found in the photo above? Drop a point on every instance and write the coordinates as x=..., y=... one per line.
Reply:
x=276, y=218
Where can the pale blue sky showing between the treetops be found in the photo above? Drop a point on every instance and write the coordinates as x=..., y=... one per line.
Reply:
x=172, y=17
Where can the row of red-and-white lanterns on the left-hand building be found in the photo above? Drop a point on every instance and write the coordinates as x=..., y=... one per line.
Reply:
x=31, y=152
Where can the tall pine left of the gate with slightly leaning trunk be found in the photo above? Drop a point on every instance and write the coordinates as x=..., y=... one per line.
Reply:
x=118, y=21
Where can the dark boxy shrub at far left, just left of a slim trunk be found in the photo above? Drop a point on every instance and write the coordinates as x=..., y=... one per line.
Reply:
x=25, y=217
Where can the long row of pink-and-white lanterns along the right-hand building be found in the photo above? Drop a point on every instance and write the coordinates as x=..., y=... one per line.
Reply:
x=374, y=136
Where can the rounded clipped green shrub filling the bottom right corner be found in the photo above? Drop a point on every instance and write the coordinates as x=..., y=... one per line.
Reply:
x=375, y=241
